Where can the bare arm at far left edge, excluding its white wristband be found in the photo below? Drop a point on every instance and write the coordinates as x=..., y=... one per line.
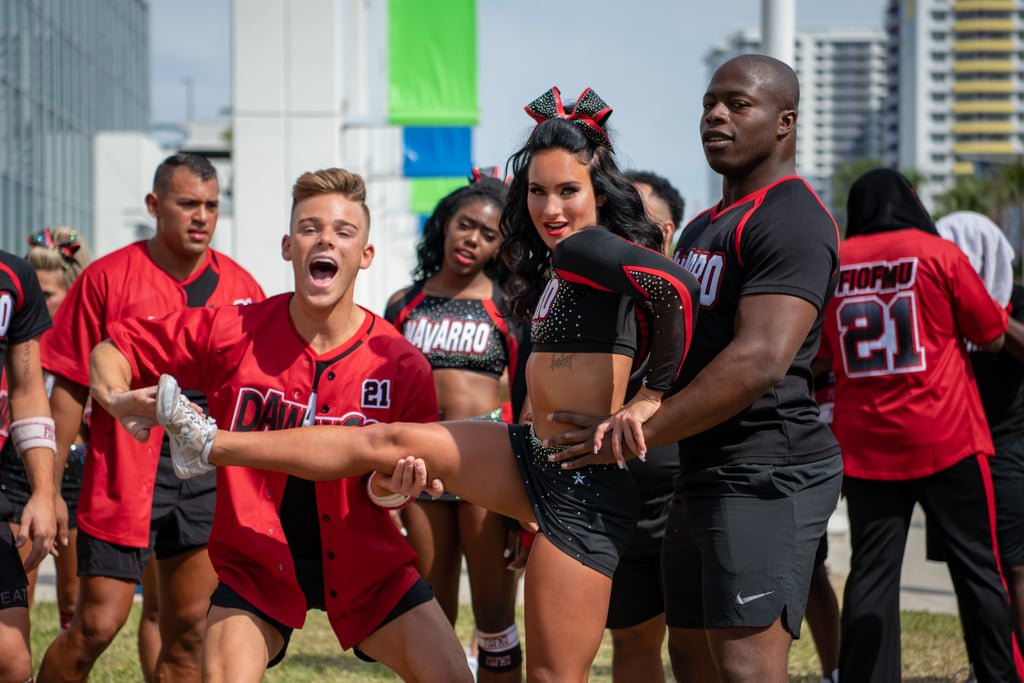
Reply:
x=28, y=400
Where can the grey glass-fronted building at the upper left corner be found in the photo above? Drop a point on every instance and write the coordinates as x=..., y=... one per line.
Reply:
x=68, y=71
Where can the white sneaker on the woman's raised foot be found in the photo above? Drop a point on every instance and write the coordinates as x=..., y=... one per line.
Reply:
x=191, y=435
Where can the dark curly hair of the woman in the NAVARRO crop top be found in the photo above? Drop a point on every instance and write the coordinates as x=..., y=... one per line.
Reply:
x=431, y=251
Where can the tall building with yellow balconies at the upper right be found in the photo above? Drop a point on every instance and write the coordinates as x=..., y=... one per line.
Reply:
x=957, y=88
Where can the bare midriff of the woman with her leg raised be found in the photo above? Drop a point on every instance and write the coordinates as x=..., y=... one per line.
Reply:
x=588, y=383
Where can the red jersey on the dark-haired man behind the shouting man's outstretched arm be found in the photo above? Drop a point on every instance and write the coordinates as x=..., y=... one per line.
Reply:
x=117, y=487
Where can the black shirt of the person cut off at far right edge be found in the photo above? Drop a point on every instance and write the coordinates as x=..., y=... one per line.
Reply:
x=1001, y=383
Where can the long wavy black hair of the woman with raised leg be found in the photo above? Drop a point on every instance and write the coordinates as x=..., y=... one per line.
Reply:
x=524, y=251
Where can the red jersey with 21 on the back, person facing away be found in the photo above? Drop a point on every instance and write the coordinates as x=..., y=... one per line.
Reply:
x=907, y=404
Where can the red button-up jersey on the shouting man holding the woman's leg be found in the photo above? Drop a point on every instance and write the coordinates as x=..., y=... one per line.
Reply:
x=260, y=374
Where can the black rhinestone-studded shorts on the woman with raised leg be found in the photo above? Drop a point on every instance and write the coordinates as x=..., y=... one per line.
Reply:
x=589, y=514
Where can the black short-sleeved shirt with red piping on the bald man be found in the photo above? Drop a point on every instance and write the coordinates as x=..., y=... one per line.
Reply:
x=780, y=240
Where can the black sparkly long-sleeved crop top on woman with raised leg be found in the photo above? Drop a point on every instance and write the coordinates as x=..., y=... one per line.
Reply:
x=588, y=306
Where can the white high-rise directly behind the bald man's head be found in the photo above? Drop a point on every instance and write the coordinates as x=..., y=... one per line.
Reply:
x=843, y=86
